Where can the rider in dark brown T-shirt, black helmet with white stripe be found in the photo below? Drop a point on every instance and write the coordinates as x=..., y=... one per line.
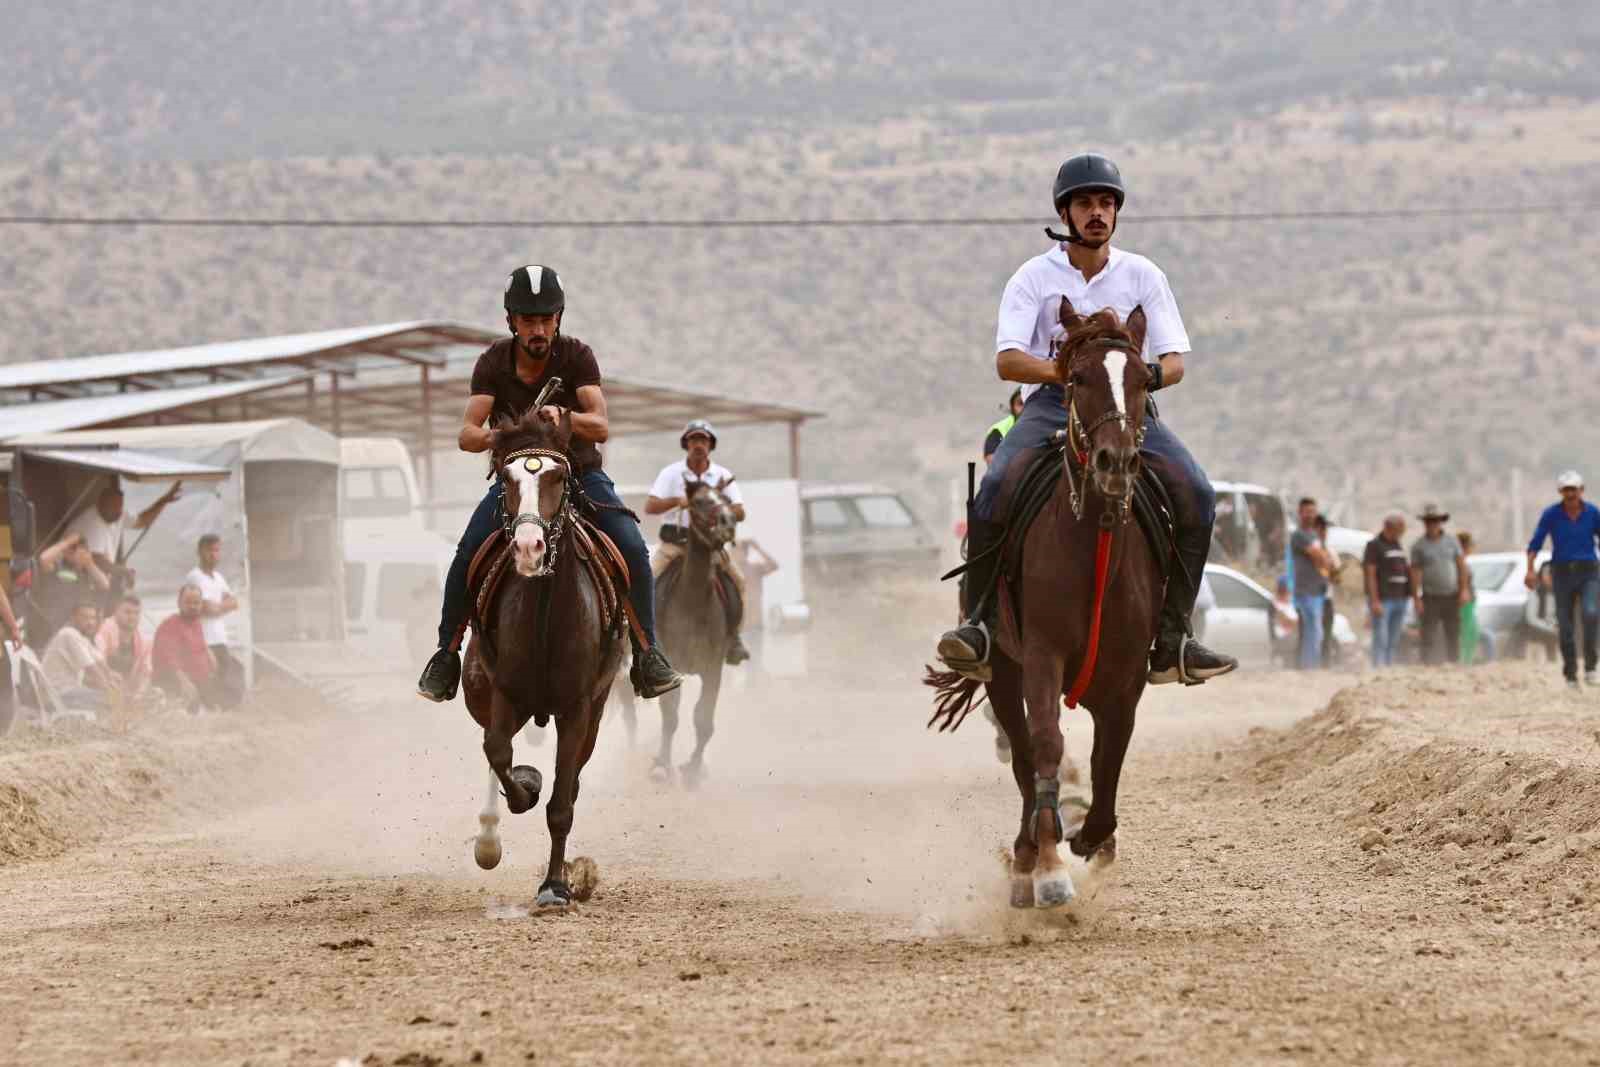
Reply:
x=506, y=382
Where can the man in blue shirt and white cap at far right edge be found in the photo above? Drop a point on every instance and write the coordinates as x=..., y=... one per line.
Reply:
x=1574, y=527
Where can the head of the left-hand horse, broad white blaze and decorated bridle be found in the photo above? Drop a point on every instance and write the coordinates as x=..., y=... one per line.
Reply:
x=529, y=455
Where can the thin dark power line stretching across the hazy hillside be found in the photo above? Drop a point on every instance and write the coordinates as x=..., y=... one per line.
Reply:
x=762, y=225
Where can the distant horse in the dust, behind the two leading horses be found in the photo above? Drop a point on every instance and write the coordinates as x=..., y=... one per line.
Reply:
x=695, y=625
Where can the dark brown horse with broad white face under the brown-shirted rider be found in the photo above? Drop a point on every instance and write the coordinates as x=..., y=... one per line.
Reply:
x=545, y=650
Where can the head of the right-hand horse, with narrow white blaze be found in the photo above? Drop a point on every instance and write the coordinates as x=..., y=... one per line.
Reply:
x=1106, y=382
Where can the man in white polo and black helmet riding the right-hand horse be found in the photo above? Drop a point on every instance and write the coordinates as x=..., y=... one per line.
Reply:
x=1094, y=276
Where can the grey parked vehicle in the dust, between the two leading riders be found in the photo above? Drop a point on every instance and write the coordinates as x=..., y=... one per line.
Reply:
x=862, y=524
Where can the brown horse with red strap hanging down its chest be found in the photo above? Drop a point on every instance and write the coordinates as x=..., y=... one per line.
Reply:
x=1039, y=657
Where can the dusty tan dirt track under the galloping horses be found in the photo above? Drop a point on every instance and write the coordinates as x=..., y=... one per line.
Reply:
x=833, y=895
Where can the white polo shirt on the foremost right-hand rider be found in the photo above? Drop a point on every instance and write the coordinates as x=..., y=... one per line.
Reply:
x=1031, y=306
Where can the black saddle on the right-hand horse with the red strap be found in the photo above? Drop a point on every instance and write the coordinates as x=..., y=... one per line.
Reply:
x=1030, y=487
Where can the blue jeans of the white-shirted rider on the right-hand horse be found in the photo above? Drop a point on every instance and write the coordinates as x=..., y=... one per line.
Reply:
x=1194, y=502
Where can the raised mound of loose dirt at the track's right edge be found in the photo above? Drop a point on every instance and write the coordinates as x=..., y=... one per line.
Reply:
x=1484, y=769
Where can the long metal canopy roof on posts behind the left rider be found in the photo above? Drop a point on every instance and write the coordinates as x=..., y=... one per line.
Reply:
x=406, y=380
